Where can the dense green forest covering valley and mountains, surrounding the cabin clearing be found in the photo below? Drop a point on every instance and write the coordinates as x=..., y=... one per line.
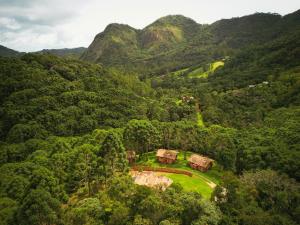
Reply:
x=229, y=91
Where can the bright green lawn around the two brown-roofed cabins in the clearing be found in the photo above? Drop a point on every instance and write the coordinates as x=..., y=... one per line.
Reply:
x=199, y=182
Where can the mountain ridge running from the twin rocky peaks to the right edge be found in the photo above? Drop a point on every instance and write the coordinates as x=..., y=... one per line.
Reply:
x=175, y=42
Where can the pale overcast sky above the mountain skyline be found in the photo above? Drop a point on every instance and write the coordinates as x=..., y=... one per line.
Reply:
x=32, y=25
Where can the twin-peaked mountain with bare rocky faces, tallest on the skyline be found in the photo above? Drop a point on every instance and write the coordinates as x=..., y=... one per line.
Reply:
x=121, y=44
